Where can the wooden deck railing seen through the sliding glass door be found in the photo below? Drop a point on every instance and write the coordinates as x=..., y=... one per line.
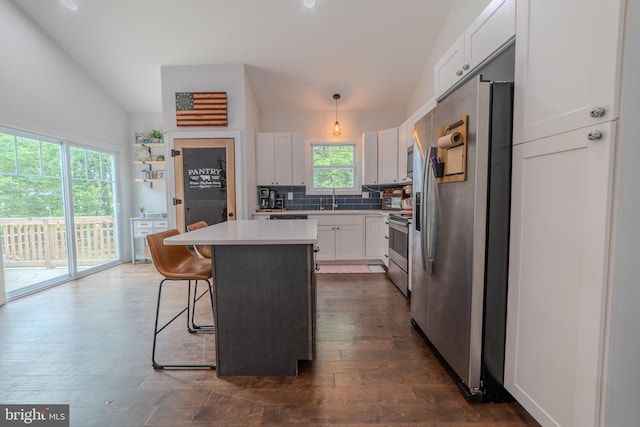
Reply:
x=41, y=242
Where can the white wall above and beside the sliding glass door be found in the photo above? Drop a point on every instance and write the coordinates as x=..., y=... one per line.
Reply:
x=44, y=91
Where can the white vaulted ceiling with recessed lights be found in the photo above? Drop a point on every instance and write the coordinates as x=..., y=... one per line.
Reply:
x=370, y=51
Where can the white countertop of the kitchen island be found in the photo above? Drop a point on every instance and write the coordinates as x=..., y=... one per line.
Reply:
x=251, y=232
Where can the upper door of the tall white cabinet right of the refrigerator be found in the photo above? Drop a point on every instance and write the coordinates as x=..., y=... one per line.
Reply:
x=567, y=65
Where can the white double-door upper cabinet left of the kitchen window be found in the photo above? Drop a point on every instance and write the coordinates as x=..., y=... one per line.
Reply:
x=273, y=159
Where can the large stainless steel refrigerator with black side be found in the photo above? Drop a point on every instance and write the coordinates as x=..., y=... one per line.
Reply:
x=461, y=238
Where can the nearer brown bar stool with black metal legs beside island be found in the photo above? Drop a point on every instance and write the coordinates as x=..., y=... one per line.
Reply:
x=177, y=263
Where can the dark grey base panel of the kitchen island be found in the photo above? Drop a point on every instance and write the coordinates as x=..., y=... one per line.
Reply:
x=265, y=308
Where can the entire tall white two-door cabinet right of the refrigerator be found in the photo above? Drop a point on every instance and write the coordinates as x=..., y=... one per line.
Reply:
x=565, y=114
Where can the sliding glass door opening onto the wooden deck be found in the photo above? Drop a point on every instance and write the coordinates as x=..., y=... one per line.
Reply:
x=57, y=211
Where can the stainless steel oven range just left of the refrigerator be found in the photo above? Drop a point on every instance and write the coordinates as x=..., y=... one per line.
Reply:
x=399, y=252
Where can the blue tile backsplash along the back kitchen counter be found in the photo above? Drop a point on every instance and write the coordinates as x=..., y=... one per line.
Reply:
x=302, y=201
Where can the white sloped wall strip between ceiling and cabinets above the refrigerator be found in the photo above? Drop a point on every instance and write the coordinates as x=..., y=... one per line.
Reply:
x=461, y=15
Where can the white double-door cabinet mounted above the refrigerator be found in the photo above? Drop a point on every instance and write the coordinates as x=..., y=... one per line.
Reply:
x=490, y=31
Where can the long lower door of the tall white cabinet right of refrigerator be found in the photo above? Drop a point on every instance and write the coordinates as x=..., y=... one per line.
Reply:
x=561, y=198
